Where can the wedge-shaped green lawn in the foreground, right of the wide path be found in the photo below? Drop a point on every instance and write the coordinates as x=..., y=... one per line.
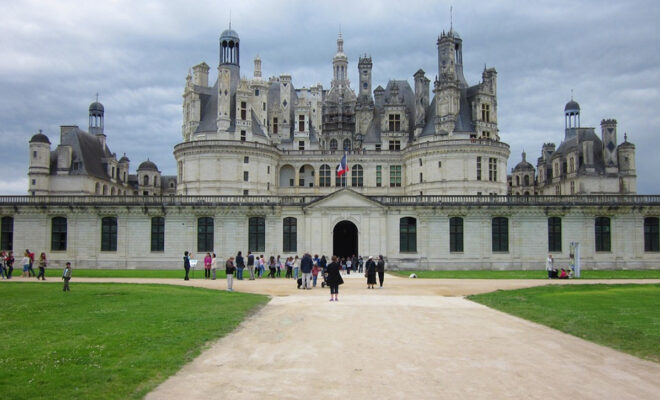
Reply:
x=625, y=317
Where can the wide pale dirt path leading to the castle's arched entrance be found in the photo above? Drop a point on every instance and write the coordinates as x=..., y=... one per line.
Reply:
x=404, y=341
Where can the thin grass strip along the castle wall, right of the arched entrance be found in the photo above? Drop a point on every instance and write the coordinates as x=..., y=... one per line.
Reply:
x=538, y=274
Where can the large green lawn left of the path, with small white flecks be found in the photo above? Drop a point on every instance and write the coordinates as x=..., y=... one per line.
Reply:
x=106, y=341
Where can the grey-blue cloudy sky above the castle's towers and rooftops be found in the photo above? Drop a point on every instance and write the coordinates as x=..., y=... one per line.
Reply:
x=56, y=55
